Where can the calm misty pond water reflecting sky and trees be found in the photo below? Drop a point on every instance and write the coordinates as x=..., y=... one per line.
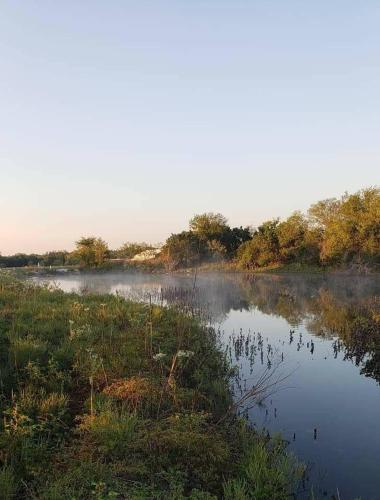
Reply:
x=320, y=333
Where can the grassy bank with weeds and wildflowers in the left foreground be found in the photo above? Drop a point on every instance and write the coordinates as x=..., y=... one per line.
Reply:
x=104, y=398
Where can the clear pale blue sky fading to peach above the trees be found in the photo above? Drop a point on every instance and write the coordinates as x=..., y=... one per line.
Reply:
x=122, y=119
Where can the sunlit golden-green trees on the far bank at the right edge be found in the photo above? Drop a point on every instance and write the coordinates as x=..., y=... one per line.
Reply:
x=335, y=231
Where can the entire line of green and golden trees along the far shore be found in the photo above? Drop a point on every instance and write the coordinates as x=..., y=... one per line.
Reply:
x=334, y=232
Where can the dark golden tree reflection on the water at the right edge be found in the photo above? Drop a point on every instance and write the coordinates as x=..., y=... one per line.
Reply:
x=344, y=308
